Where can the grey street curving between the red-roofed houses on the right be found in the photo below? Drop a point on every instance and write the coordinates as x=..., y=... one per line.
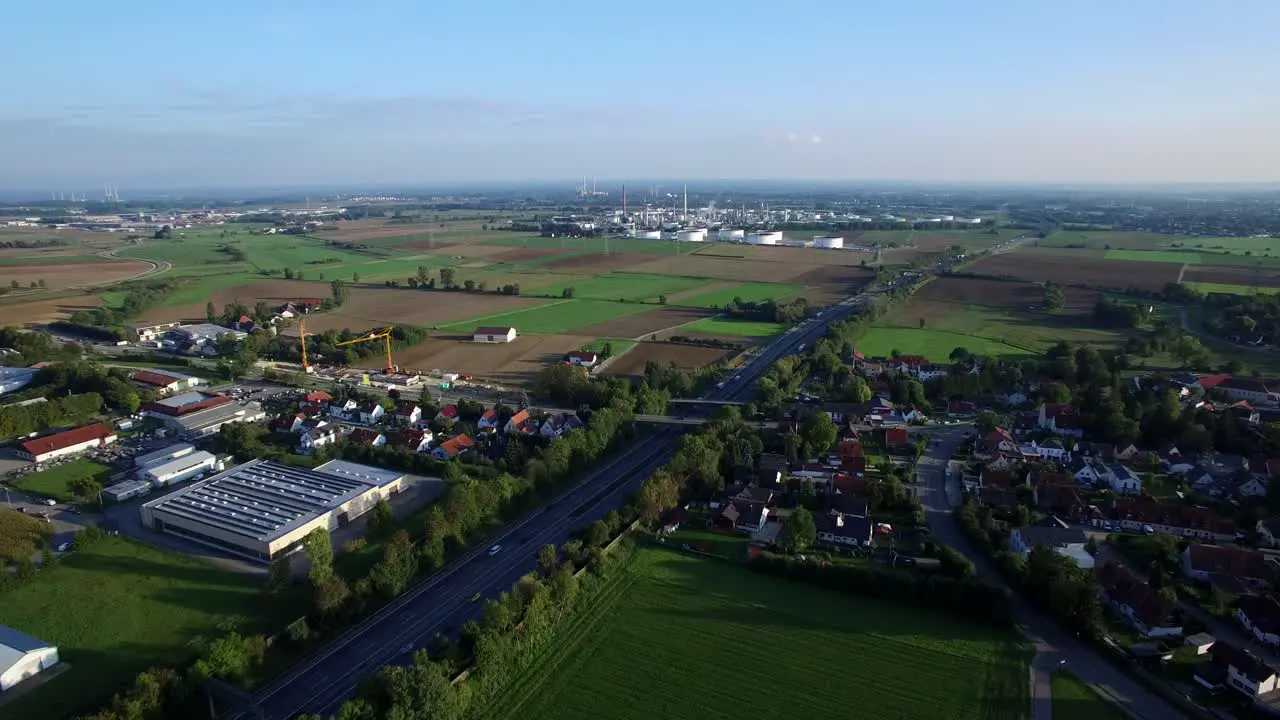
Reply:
x=1054, y=646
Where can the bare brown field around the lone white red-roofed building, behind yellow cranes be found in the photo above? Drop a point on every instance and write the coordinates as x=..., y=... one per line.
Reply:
x=514, y=363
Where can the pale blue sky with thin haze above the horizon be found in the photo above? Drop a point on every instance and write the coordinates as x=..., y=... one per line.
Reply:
x=387, y=92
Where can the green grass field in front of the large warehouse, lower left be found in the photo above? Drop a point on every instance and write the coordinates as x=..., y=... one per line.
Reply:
x=117, y=609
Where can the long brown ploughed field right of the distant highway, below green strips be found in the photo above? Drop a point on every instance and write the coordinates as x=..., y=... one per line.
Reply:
x=1030, y=265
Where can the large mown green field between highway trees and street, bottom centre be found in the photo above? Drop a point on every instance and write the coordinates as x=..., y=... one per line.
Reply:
x=680, y=637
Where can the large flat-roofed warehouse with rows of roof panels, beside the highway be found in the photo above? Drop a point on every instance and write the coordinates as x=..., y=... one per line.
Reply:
x=262, y=509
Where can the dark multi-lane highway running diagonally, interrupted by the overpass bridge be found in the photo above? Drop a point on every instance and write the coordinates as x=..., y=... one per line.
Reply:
x=445, y=601
